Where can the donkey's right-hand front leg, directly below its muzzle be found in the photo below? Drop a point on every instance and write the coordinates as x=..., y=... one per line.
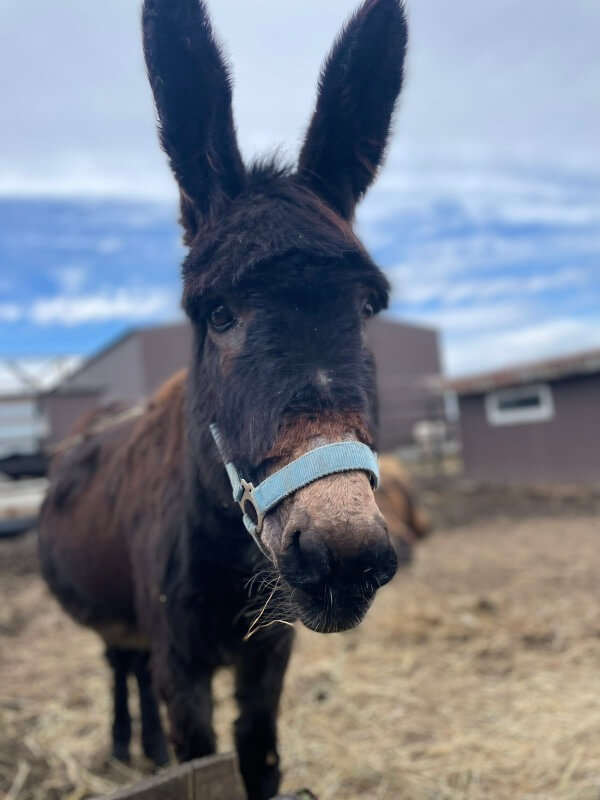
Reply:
x=259, y=672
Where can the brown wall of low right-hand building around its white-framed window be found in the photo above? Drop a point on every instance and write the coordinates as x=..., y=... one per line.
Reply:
x=565, y=449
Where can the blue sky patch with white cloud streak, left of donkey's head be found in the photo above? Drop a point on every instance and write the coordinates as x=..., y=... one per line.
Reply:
x=80, y=270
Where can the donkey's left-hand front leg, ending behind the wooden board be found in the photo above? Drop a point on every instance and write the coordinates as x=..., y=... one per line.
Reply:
x=188, y=696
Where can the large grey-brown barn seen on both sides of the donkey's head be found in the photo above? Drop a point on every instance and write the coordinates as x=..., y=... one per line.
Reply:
x=132, y=367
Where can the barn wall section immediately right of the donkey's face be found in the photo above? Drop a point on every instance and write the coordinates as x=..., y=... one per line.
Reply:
x=407, y=359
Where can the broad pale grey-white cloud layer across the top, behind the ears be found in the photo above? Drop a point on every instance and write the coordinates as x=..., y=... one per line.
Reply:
x=501, y=82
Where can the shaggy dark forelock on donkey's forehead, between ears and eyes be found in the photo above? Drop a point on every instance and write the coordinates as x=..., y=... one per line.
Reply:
x=276, y=219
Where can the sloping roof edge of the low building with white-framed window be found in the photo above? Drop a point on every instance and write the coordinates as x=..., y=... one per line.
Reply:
x=582, y=363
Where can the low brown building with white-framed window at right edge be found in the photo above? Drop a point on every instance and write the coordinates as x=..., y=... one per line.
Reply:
x=534, y=423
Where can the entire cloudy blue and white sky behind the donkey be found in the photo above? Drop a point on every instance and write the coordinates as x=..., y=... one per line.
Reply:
x=486, y=216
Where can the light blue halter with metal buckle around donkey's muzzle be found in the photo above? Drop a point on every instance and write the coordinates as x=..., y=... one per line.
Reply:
x=257, y=501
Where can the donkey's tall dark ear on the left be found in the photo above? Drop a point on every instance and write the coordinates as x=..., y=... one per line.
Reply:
x=192, y=92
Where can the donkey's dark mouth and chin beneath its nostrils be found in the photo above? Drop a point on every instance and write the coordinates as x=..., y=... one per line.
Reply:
x=333, y=609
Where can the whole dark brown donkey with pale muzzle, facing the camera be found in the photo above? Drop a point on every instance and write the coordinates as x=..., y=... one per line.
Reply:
x=140, y=537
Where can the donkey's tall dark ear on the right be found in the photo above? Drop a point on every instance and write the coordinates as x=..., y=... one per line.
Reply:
x=359, y=84
